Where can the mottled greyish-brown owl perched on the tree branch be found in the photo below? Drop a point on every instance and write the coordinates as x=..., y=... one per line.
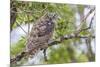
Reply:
x=41, y=33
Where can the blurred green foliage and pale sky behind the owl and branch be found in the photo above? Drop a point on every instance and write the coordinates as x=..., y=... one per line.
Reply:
x=74, y=50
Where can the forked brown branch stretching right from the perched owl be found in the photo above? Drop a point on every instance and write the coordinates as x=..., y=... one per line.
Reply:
x=76, y=33
